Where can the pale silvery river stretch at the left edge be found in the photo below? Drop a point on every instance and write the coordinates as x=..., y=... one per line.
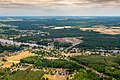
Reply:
x=17, y=43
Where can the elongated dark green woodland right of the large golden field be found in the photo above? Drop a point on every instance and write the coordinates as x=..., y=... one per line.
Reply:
x=59, y=63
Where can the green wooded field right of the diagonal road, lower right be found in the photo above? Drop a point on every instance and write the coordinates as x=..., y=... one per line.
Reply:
x=108, y=65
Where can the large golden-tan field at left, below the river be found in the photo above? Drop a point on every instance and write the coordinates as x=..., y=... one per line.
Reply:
x=16, y=58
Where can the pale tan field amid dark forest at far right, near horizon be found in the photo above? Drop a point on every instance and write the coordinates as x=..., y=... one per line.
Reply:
x=104, y=30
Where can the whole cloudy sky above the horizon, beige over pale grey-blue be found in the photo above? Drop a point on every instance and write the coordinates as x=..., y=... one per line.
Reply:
x=59, y=7
